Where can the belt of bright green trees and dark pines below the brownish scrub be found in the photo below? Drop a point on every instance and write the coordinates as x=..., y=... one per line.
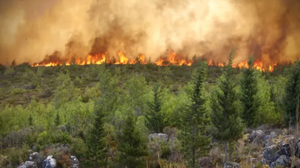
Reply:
x=108, y=123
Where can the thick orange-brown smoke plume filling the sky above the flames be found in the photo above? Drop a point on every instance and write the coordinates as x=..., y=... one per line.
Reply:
x=32, y=29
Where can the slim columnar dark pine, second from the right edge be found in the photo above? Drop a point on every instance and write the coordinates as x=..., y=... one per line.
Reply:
x=250, y=99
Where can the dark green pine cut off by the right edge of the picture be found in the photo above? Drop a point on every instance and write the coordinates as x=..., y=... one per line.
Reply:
x=292, y=94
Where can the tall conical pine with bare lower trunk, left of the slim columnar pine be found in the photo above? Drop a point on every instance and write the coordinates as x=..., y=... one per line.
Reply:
x=227, y=125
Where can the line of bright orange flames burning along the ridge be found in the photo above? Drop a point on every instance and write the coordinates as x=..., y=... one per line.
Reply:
x=172, y=59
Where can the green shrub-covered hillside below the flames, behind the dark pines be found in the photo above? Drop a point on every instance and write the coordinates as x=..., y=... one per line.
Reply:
x=53, y=111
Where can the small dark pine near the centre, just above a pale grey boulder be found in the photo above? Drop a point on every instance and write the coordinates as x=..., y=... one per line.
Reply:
x=156, y=119
